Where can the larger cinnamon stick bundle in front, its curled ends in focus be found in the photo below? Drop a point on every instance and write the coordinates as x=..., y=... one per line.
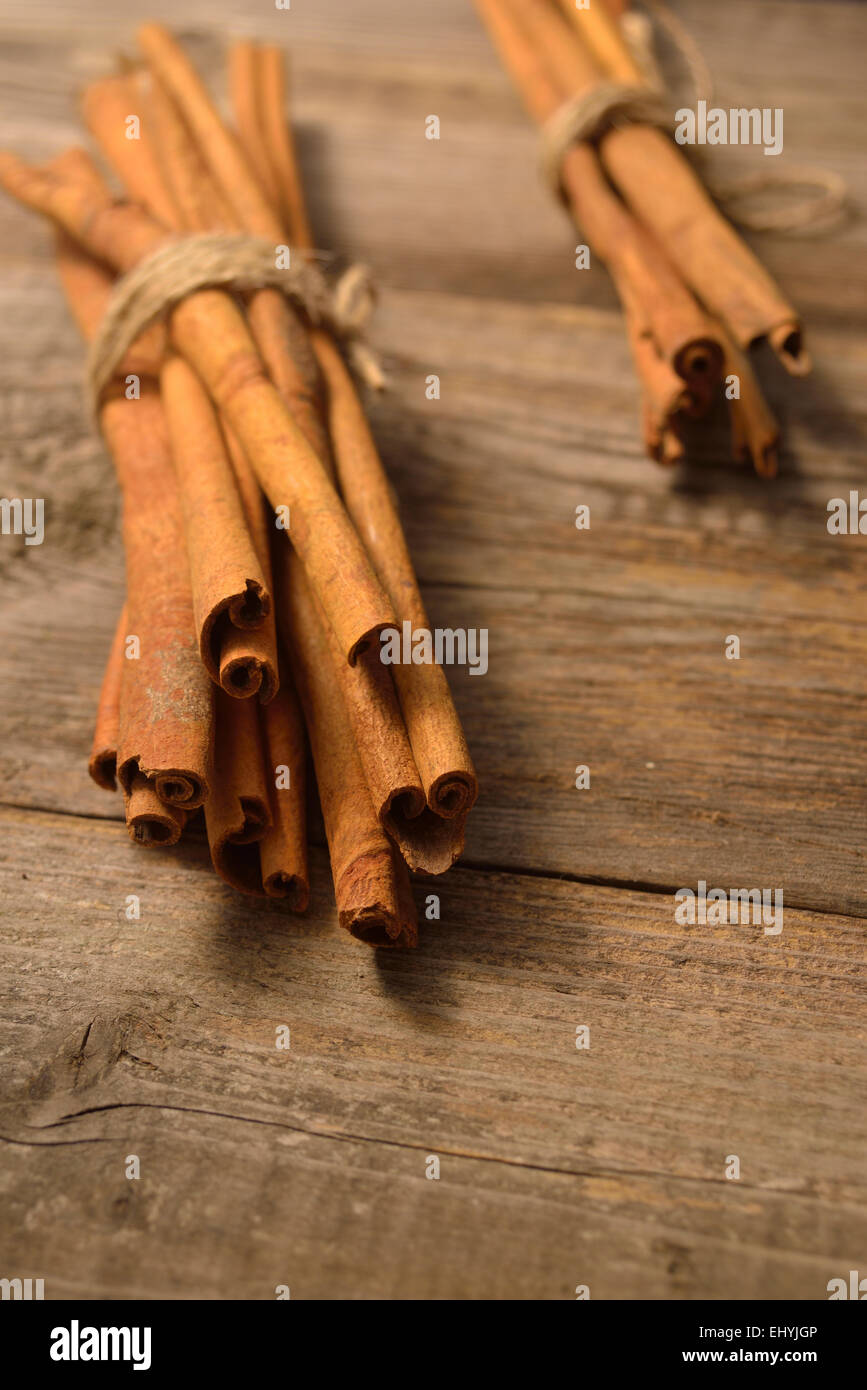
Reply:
x=265, y=554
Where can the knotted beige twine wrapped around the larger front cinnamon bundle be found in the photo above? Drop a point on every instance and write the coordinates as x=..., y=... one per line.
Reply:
x=238, y=262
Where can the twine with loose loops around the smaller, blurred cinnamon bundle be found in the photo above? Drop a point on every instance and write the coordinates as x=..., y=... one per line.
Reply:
x=612, y=105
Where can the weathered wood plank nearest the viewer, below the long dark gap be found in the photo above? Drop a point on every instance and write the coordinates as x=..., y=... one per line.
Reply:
x=606, y=1164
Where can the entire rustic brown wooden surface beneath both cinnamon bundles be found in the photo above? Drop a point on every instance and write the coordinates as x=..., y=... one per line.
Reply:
x=158, y=1038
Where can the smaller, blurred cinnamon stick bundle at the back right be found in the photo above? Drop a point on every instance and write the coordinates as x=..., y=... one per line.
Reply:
x=695, y=298
